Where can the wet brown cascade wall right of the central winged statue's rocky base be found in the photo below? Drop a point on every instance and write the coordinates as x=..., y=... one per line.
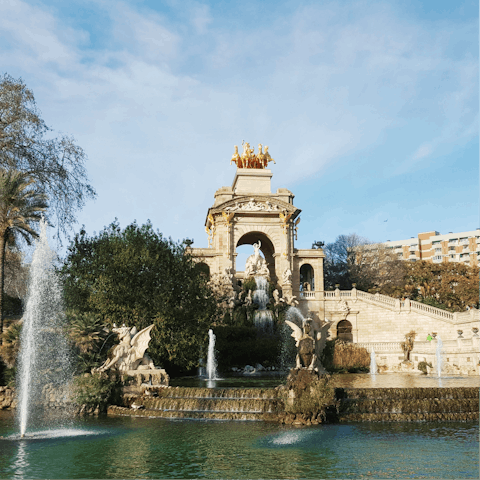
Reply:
x=408, y=404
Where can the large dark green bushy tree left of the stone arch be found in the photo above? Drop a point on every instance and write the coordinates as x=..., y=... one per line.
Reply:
x=137, y=277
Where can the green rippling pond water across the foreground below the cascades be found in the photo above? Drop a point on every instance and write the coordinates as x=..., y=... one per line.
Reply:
x=143, y=448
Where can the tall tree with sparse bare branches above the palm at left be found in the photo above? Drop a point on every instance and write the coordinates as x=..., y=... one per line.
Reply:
x=56, y=164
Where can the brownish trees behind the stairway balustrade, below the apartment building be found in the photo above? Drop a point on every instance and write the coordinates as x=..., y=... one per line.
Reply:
x=374, y=268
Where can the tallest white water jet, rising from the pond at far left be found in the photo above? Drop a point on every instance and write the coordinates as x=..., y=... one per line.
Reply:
x=44, y=354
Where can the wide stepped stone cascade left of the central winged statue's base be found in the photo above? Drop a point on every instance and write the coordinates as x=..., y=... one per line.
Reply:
x=201, y=403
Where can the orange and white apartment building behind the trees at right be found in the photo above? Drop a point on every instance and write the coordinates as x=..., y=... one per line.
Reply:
x=463, y=247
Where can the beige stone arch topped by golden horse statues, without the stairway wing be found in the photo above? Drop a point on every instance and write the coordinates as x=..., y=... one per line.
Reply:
x=249, y=213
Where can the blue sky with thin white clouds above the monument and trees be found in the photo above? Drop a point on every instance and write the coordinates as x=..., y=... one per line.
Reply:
x=369, y=108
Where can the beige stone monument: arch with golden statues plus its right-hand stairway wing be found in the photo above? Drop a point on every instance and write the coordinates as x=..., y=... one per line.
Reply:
x=248, y=212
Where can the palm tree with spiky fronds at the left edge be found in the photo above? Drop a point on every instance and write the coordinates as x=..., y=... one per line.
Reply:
x=21, y=205
